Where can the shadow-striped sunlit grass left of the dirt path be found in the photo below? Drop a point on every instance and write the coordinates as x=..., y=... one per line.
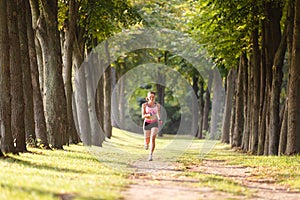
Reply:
x=45, y=174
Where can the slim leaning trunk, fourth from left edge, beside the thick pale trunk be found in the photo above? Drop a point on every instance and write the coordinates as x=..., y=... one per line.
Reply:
x=38, y=107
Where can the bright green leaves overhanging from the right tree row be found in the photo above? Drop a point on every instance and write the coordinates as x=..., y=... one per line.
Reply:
x=224, y=28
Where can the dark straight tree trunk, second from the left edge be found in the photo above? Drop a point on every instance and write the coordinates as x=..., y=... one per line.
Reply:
x=17, y=98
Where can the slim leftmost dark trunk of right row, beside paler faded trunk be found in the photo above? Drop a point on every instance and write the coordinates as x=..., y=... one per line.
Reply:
x=239, y=115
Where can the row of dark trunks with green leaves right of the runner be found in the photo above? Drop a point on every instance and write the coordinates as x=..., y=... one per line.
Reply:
x=258, y=43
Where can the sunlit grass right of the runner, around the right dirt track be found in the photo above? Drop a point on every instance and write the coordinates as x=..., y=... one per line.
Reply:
x=284, y=170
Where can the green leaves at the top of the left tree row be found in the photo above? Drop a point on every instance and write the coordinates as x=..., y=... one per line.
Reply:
x=100, y=19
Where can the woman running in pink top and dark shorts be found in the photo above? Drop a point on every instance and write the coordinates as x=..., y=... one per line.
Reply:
x=151, y=116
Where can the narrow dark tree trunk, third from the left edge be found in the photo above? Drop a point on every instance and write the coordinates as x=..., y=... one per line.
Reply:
x=27, y=82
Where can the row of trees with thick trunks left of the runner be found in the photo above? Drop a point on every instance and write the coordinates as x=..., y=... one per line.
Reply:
x=42, y=43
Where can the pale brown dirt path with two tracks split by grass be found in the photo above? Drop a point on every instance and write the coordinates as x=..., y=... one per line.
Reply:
x=160, y=180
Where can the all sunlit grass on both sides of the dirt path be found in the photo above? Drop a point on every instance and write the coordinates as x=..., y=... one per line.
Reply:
x=102, y=173
